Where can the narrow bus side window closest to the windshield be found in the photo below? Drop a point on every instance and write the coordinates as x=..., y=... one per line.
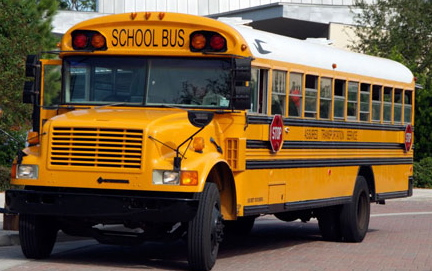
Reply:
x=259, y=91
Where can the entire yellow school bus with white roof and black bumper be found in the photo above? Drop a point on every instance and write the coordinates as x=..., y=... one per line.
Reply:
x=178, y=126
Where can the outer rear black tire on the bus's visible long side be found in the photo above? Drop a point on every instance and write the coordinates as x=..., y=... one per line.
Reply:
x=355, y=215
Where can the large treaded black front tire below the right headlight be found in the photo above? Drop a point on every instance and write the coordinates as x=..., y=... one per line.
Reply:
x=205, y=231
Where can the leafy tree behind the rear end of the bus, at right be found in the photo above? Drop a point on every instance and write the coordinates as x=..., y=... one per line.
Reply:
x=401, y=30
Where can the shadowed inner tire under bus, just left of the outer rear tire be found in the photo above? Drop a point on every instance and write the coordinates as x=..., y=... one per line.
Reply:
x=329, y=223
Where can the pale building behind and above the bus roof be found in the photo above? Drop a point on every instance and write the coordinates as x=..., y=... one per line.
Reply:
x=327, y=21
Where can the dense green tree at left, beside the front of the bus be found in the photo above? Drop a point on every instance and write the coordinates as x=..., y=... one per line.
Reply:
x=25, y=28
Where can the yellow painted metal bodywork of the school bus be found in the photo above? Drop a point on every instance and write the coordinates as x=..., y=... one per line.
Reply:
x=64, y=163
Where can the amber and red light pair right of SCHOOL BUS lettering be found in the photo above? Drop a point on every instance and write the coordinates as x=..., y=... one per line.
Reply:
x=207, y=41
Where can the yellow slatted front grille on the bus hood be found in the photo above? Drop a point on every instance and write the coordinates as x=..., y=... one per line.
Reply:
x=96, y=147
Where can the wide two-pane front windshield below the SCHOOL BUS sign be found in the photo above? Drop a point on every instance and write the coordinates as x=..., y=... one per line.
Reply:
x=143, y=81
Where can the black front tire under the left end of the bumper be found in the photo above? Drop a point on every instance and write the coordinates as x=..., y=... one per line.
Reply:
x=37, y=235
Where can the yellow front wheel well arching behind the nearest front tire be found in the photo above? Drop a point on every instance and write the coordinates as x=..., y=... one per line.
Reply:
x=221, y=175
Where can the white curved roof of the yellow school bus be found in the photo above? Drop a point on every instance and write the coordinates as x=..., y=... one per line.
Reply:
x=276, y=47
